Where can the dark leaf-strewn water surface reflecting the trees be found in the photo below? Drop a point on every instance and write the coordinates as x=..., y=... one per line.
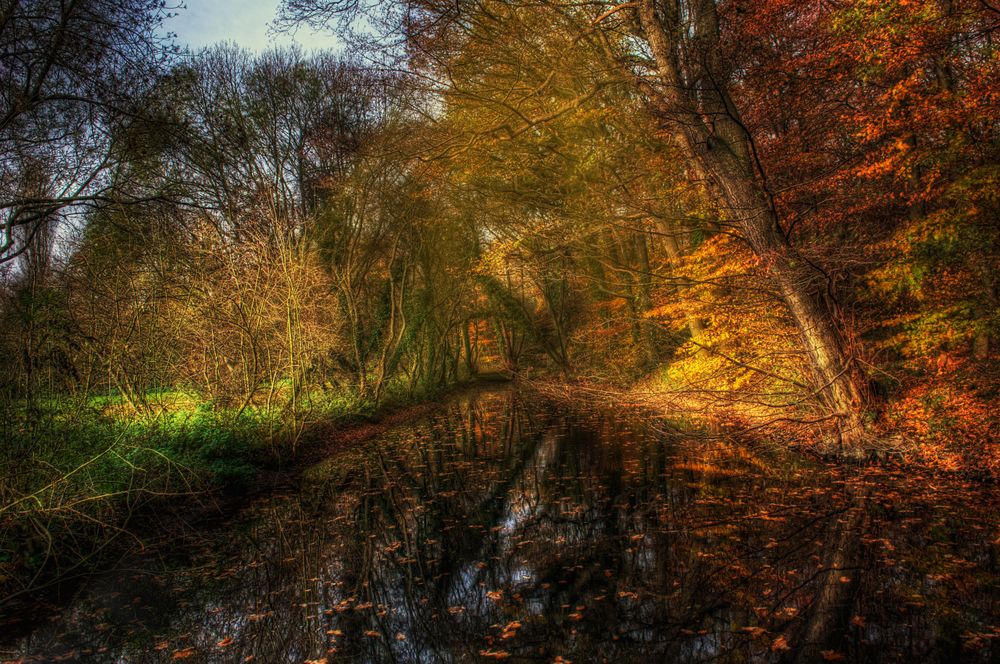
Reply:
x=505, y=528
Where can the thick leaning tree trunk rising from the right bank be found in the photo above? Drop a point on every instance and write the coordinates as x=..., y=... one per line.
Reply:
x=705, y=123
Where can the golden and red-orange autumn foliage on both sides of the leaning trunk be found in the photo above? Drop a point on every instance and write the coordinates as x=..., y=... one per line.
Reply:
x=872, y=130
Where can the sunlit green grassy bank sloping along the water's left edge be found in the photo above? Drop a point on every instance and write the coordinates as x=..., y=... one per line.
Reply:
x=80, y=474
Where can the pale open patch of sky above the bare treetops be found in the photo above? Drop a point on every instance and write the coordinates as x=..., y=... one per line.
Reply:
x=246, y=22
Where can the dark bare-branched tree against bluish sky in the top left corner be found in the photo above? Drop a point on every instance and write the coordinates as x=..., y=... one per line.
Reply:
x=74, y=72
